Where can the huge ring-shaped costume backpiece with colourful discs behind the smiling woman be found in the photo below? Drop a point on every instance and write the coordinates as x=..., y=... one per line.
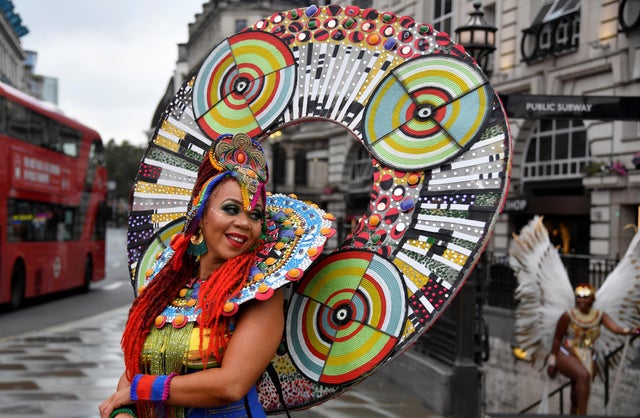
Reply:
x=441, y=152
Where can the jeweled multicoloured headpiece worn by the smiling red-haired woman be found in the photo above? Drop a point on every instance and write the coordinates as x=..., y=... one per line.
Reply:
x=239, y=157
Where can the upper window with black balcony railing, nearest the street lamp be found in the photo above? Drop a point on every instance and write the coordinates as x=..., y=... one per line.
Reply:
x=555, y=31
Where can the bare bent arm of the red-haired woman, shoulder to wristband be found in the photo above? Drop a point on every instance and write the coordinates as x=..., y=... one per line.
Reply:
x=254, y=342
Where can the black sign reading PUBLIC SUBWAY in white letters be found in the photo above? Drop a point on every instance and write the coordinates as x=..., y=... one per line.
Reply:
x=524, y=106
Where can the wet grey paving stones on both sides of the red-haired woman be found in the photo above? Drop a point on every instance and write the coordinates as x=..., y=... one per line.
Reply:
x=65, y=371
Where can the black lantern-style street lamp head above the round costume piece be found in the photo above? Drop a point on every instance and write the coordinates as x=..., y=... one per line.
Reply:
x=478, y=38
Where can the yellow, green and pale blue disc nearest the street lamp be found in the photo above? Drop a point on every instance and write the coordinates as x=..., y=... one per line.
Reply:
x=426, y=111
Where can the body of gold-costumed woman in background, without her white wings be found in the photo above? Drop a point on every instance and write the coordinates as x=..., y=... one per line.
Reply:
x=572, y=352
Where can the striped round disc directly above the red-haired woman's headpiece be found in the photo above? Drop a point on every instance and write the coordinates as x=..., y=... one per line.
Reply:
x=244, y=85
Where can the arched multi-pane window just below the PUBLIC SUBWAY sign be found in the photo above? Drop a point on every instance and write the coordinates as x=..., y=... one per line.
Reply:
x=556, y=150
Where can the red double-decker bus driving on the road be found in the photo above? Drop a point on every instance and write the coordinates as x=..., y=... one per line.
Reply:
x=53, y=186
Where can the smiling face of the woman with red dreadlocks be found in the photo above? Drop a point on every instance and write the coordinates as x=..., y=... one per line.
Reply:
x=227, y=228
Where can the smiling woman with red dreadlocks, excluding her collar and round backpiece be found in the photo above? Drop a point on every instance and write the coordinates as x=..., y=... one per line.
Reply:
x=189, y=352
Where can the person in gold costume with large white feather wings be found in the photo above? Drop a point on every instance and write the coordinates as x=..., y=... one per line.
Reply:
x=562, y=328
